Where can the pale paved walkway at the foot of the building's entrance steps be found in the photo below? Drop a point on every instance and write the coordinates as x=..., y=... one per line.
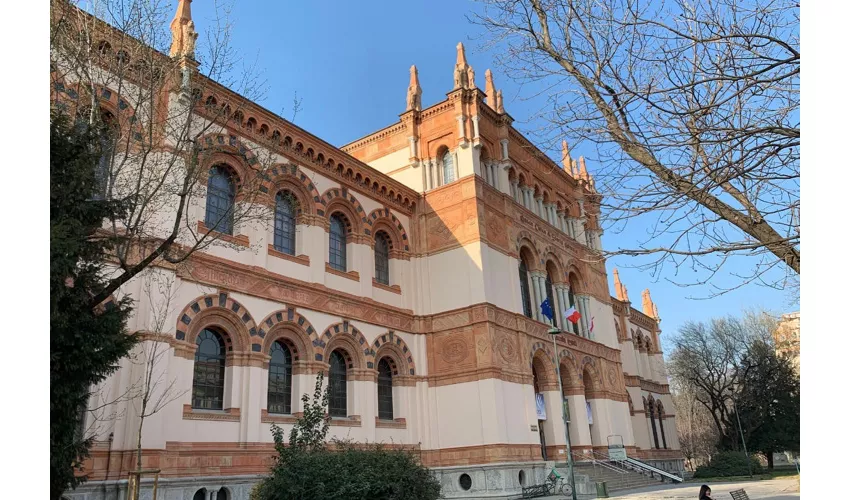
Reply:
x=773, y=489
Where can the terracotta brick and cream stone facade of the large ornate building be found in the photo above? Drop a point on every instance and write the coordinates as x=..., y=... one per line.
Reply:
x=470, y=208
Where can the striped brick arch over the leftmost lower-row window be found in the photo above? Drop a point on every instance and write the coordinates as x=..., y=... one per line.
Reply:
x=236, y=324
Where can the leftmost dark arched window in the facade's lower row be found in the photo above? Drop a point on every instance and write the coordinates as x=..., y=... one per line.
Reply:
x=208, y=381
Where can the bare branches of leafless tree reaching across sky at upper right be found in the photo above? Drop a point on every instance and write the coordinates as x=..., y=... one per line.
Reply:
x=693, y=110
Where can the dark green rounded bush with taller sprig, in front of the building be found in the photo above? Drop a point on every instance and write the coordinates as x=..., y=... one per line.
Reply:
x=306, y=469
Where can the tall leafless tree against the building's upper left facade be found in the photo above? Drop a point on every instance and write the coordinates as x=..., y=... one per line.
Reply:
x=110, y=66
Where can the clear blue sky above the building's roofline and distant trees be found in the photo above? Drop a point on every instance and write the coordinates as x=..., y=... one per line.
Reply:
x=349, y=62
